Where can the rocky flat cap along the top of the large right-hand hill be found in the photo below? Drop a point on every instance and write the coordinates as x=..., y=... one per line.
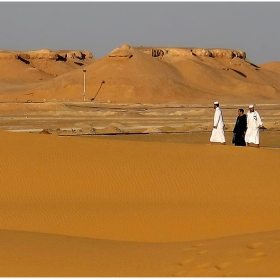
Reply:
x=180, y=51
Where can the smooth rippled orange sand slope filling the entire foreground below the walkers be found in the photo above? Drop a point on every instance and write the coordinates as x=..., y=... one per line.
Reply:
x=95, y=207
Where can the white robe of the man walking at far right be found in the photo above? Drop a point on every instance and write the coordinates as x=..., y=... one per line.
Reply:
x=254, y=122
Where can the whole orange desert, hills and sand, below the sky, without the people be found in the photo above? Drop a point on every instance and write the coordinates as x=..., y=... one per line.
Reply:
x=107, y=170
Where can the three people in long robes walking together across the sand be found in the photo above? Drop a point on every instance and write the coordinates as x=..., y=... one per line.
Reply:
x=246, y=129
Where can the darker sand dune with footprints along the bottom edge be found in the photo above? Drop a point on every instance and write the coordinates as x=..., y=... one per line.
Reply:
x=47, y=255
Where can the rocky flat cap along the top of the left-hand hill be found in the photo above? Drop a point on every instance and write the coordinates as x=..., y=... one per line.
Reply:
x=46, y=54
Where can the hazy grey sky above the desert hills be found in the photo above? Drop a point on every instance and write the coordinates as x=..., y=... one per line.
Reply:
x=100, y=27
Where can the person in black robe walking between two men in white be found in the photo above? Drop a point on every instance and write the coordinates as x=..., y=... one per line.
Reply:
x=240, y=129
